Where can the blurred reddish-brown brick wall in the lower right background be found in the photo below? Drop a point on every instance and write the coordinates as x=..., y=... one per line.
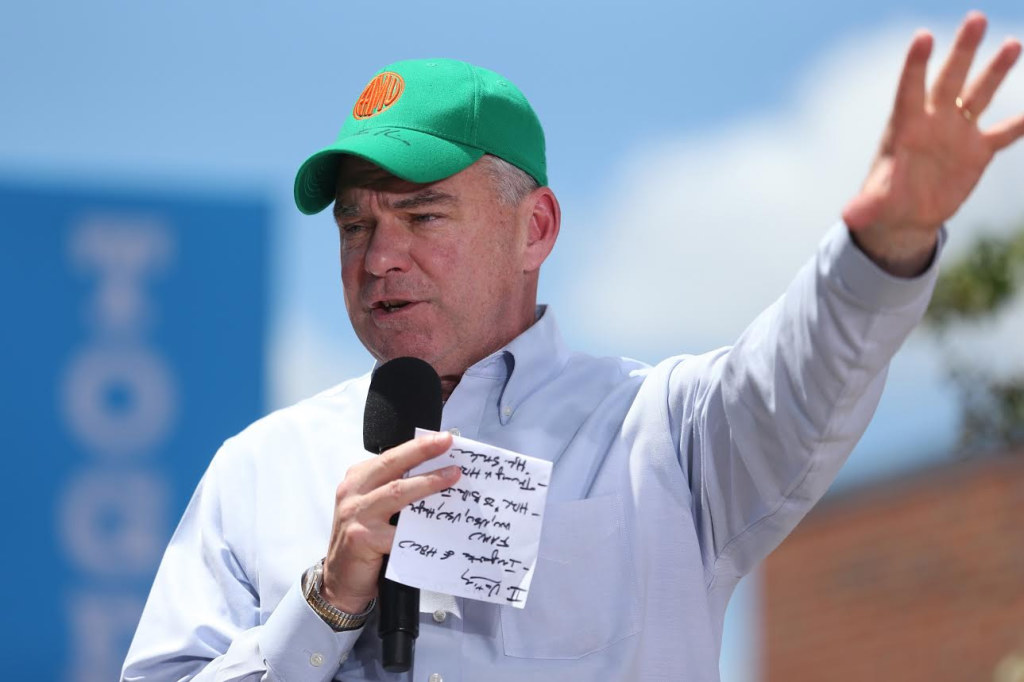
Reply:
x=919, y=580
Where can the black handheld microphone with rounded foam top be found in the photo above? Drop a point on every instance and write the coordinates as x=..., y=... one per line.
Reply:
x=405, y=394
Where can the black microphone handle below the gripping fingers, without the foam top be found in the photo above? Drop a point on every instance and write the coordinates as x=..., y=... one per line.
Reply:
x=399, y=625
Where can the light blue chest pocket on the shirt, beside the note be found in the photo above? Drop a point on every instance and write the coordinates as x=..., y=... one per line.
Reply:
x=583, y=598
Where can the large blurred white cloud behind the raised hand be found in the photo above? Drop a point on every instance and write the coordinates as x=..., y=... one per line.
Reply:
x=708, y=229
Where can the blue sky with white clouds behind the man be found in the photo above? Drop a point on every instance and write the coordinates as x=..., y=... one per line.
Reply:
x=699, y=150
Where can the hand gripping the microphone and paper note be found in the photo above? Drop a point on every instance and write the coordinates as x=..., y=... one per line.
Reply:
x=362, y=535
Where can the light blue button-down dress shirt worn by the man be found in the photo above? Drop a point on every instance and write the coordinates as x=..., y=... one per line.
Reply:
x=670, y=484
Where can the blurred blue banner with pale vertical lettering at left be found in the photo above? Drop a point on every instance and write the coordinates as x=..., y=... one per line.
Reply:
x=134, y=345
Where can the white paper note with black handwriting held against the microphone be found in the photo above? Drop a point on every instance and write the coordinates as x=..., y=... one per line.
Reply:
x=478, y=539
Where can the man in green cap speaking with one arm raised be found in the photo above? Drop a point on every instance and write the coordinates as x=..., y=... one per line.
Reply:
x=670, y=483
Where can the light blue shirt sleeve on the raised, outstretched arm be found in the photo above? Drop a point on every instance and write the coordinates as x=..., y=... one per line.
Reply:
x=766, y=424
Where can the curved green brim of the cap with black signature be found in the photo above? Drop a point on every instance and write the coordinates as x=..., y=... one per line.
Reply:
x=411, y=155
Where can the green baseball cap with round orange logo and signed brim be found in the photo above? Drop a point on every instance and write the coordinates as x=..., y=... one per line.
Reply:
x=424, y=120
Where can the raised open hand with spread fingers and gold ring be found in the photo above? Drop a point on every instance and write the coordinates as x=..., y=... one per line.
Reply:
x=933, y=153
